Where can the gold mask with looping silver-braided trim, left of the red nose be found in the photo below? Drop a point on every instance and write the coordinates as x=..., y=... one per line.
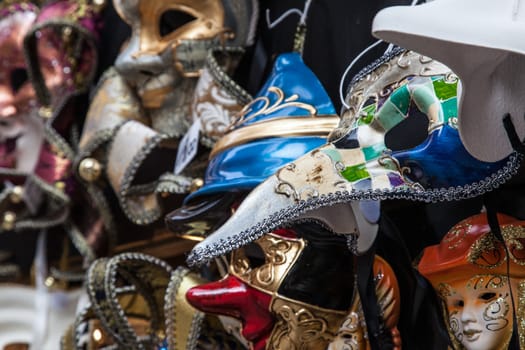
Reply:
x=142, y=305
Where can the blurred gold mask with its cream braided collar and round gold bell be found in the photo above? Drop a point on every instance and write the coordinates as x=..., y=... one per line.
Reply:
x=133, y=140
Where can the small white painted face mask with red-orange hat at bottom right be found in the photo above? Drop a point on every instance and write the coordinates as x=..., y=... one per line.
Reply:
x=468, y=269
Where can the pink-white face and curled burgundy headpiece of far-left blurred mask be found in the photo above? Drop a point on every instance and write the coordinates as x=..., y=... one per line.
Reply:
x=38, y=73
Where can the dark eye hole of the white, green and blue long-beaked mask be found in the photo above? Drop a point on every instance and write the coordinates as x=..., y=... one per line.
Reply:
x=409, y=133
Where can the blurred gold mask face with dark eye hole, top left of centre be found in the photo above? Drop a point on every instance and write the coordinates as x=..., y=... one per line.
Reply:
x=170, y=41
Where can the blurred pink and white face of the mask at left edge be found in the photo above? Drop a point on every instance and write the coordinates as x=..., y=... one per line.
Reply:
x=21, y=128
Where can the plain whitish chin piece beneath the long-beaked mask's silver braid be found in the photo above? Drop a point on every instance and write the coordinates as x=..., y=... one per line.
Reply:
x=346, y=219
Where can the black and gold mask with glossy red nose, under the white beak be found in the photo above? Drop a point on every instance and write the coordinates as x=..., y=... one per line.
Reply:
x=293, y=289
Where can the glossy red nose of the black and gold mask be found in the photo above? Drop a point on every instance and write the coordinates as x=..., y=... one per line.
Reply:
x=232, y=297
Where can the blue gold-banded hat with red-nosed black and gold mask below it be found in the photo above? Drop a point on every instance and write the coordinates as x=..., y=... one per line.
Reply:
x=281, y=304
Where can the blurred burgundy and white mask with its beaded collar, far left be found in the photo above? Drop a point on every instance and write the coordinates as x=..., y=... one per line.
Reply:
x=52, y=57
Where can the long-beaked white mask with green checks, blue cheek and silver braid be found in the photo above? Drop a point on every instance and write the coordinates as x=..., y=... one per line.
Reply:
x=357, y=165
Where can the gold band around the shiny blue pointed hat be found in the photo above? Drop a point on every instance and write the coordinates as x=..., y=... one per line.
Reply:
x=279, y=127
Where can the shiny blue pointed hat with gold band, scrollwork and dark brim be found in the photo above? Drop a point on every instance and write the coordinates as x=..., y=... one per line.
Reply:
x=291, y=115
